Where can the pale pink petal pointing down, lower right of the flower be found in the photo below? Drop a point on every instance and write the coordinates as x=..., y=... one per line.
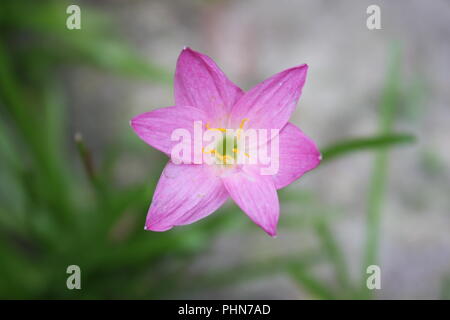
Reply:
x=256, y=196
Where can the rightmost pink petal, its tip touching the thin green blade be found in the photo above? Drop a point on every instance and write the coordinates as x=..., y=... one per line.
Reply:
x=298, y=155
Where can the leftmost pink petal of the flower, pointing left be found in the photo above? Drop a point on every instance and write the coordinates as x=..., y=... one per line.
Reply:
x=156, y=127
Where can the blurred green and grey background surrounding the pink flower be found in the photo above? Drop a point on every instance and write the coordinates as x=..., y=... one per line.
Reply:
x=75, y=181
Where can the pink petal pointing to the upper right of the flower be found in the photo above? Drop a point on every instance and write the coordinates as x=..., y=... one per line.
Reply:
x=270, y=104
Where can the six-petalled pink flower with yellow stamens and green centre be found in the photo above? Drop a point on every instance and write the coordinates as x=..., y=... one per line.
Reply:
x=189, y=192
